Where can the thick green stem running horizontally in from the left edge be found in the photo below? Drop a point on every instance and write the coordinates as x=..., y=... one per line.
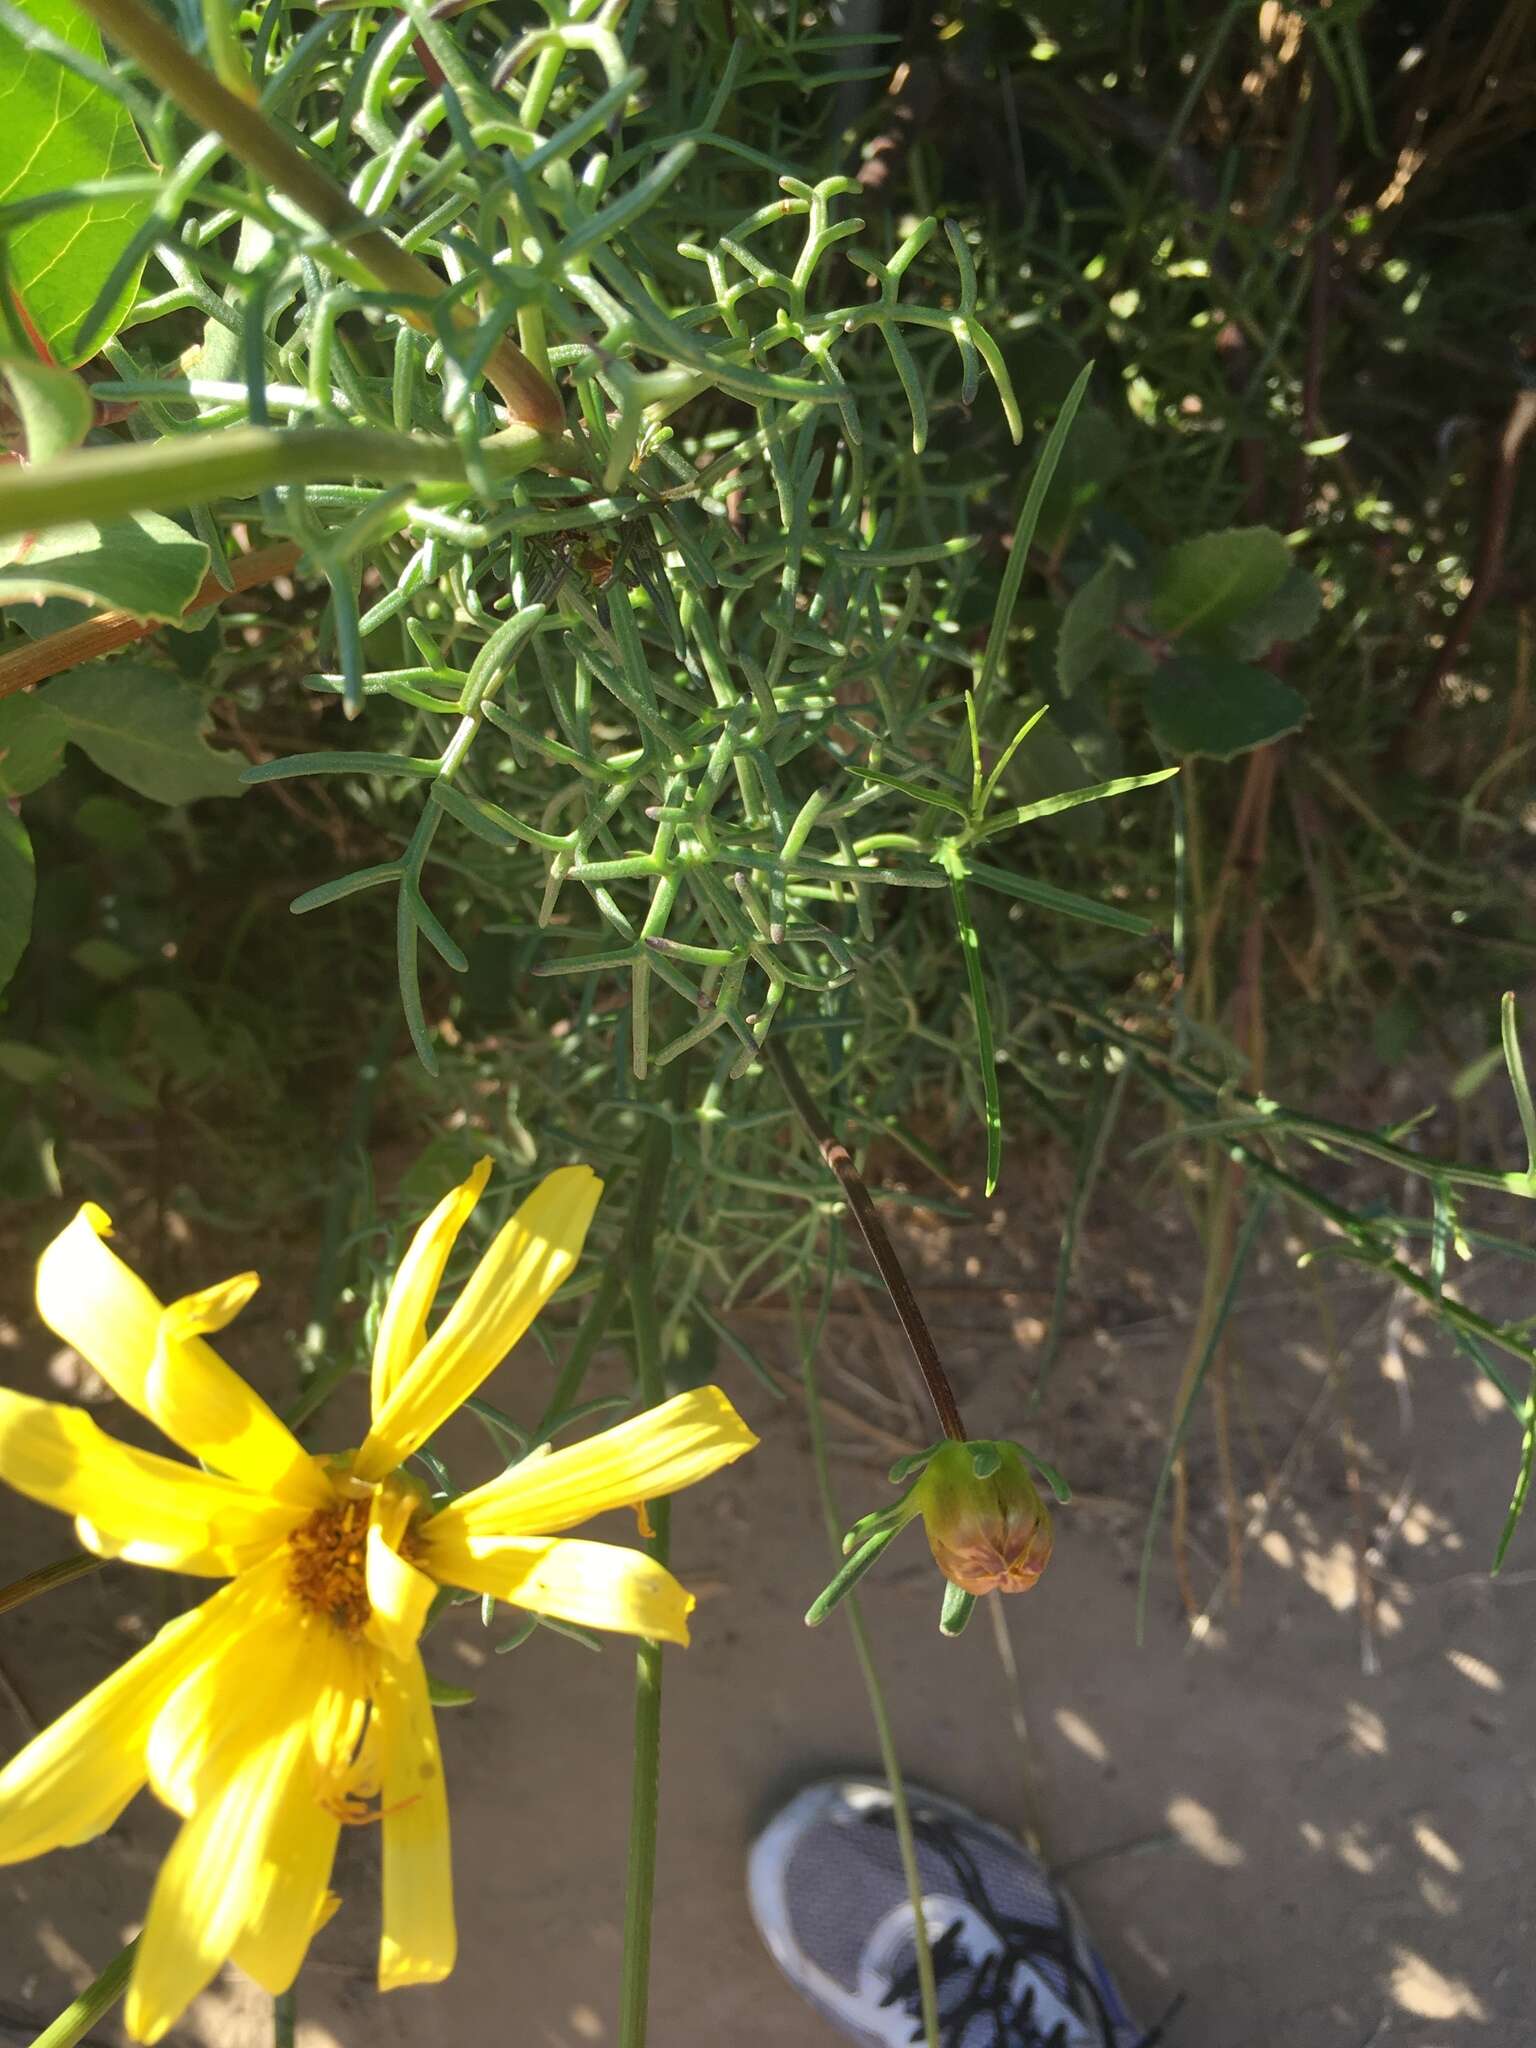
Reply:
x=239, y=462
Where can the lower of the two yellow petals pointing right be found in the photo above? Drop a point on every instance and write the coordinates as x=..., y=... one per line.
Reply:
x=595, y=1584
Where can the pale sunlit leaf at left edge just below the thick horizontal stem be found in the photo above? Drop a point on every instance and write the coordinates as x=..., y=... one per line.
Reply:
x=144, y=564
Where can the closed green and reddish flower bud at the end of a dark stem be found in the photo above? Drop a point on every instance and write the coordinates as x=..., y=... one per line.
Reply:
x=990, y=1535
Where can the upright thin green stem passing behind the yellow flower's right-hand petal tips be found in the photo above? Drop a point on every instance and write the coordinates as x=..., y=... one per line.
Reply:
x=640, y=1885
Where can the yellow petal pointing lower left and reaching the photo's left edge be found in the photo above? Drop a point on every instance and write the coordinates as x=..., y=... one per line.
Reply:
x=79, y=1775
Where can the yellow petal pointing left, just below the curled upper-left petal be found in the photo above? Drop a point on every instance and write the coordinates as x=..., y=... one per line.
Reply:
x=130, y=1502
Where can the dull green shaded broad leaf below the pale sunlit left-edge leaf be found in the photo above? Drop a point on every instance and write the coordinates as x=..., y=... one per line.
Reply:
x=144, y=728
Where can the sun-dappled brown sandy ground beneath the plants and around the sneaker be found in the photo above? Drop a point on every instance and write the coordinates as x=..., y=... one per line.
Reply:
x=1310, y=1820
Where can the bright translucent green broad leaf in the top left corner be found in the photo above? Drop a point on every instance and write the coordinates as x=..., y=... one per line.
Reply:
x=58, y=132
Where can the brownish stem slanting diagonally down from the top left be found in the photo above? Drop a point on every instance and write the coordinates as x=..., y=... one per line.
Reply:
x=275, y=161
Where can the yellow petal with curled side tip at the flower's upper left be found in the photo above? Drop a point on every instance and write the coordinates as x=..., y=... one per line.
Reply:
x=91, y=1299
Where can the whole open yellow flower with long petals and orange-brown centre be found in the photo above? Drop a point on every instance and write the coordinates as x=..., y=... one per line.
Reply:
x=294, y=1701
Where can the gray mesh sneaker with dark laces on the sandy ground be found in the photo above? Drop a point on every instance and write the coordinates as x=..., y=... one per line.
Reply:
x=1011, y=1959
